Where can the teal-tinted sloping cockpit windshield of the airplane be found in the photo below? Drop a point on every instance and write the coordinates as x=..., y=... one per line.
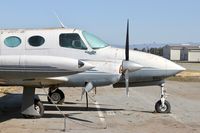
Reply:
x=94, y=41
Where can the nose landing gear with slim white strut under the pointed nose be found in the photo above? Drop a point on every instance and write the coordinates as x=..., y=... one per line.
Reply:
x=162, y=105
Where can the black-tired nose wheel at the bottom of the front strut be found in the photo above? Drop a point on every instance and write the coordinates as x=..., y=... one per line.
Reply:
x=160, y=109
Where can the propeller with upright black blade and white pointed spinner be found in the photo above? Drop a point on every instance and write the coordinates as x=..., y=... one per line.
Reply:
x=128, y=66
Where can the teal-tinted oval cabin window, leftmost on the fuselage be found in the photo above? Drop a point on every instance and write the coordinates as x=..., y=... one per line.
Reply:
x=12, y=41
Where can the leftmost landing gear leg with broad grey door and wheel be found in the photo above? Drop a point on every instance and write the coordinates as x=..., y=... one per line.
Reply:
x=31, y=107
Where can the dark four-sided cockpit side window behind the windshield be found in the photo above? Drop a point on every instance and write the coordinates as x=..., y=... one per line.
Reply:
x=71, y=41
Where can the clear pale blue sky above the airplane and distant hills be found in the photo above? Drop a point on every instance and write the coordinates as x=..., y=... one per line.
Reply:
x=161, y=21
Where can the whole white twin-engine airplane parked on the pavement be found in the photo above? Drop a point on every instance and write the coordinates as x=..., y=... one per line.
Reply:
x=62, y=57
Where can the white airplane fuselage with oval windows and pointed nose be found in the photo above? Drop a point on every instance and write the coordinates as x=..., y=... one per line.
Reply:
x=77, y=44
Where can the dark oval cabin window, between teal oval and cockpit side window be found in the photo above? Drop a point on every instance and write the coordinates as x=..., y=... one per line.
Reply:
x=36, y=41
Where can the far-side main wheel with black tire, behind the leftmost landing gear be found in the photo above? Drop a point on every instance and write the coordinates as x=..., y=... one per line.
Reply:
x=57, y=97
